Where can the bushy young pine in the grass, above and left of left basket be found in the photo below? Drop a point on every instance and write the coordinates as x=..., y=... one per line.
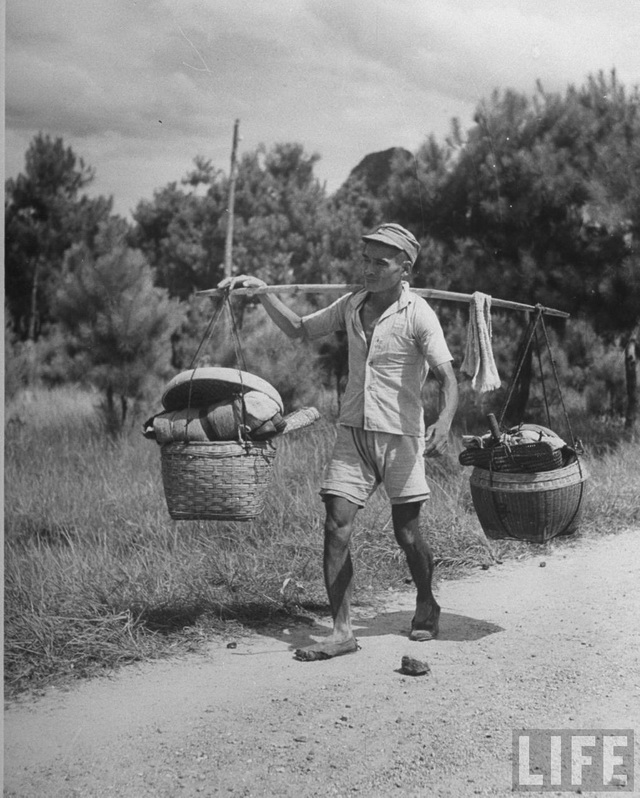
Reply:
x=118, y=323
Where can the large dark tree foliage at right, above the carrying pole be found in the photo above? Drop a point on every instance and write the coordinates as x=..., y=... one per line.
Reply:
x=539, y=202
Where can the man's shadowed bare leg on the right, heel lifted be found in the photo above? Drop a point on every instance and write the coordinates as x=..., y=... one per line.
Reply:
x=420, y=561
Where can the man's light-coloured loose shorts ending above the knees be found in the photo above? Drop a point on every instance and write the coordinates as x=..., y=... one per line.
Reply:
x=362, y=460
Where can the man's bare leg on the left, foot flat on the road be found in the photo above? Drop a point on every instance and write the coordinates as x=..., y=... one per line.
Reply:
x=338, y=578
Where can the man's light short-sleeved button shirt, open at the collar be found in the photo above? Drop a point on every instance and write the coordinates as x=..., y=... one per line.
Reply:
x=384, y=389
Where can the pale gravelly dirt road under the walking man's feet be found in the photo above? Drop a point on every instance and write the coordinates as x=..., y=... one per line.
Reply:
x=521, y=646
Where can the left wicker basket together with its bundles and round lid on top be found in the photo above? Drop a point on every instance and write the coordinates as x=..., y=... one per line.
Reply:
x=217, y=459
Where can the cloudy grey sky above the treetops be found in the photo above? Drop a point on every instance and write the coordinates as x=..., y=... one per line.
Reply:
x=139, y=88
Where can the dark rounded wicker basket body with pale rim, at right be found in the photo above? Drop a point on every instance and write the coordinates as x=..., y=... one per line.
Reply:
x=533, y=507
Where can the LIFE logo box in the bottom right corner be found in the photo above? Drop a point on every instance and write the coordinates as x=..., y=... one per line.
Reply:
x=576, y=760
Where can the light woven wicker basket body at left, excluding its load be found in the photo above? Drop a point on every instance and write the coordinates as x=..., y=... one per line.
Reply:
x=217, y=480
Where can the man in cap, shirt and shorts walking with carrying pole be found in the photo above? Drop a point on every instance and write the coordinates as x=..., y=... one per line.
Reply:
x=394, y=338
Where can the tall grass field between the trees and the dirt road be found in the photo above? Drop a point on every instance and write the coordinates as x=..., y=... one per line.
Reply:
x=98, y=575
